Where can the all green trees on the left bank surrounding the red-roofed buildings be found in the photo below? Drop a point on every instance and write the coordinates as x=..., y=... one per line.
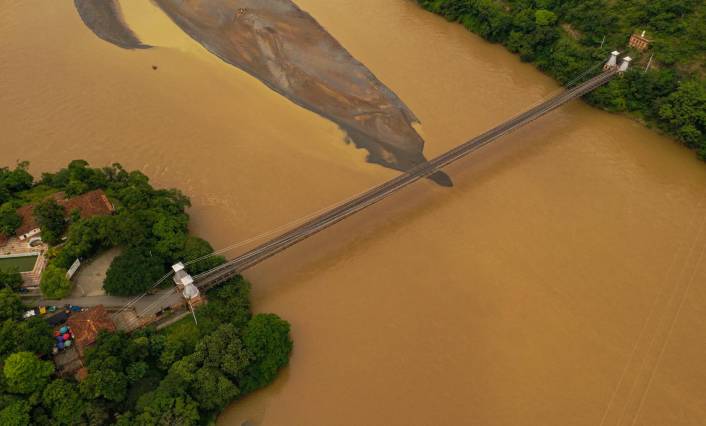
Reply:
x=183, y=374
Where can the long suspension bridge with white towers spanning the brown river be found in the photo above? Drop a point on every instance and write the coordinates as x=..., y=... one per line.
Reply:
x=192, y=288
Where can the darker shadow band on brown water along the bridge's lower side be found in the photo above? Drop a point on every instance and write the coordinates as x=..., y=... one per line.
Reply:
x=354, y=235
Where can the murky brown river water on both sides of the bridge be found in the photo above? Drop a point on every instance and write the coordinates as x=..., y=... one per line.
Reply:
x=558, y=283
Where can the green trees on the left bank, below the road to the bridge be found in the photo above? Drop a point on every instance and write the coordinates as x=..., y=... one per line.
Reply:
x=228, y=355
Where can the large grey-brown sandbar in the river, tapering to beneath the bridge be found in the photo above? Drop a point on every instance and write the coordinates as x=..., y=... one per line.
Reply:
x=285, y=48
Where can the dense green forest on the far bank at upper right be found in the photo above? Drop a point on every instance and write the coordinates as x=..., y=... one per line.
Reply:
x=565, y=37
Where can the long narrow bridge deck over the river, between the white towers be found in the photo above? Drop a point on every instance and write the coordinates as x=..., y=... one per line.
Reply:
x=249, y=259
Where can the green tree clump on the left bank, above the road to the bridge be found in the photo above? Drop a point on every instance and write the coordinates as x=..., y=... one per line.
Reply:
x=151, y=225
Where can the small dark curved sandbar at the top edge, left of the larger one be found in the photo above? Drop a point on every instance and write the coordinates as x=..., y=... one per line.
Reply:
x=104, y=18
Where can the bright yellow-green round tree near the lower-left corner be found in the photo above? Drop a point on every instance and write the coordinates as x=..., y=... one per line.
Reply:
x=25, y=373
